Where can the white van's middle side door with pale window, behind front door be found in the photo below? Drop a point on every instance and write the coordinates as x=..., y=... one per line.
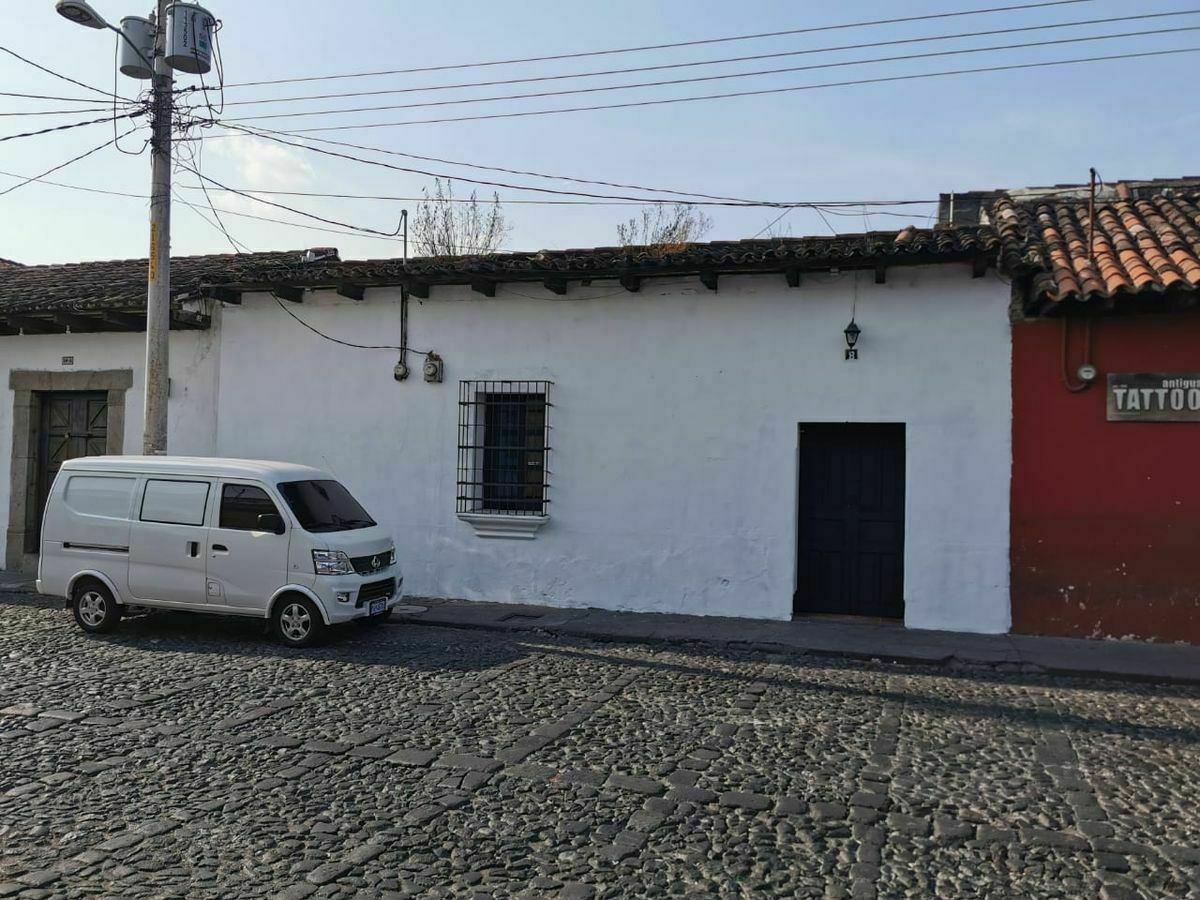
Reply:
x=170, y=542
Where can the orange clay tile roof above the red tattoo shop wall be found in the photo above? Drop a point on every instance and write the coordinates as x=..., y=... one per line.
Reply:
x=1138, y=247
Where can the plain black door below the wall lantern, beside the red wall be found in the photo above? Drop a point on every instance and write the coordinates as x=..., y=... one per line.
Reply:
x=851, y=520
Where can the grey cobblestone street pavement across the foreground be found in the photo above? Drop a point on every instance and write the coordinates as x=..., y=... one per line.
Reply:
x=194, y=758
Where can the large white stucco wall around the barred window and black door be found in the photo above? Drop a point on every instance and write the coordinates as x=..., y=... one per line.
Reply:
x=675, y=430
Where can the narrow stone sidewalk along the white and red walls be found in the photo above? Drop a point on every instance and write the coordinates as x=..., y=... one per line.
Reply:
x=827, y=638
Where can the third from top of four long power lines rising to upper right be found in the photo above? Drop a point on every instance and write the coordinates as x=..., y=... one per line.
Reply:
x=725, y=76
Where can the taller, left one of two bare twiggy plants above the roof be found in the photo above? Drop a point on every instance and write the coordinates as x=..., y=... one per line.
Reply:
x=446, y=226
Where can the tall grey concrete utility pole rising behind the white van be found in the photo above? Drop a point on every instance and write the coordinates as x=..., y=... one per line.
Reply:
x=159, y=284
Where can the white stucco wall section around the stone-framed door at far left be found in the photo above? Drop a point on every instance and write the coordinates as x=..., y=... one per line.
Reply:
x=194, y=373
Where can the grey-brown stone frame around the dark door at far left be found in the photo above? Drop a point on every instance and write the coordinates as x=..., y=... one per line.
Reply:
x=27, y=407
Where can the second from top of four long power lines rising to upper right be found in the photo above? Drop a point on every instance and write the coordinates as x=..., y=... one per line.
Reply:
x=709, y=63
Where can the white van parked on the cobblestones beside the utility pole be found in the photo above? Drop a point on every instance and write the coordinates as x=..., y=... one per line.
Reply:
x=229, y=537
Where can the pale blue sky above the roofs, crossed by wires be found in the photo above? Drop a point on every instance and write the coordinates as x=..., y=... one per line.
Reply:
x=896, y=141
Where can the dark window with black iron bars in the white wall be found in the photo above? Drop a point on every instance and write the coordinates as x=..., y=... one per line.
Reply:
x=505, y=448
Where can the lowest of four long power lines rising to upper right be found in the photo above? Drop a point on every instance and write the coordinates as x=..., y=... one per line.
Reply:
x=765, y=92
